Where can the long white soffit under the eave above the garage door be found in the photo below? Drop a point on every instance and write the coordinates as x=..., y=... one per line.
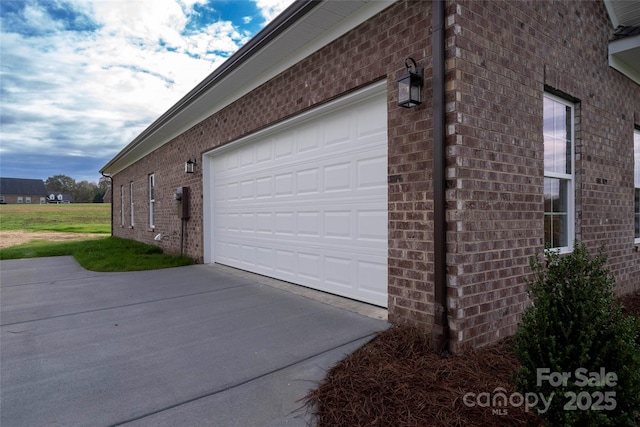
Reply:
x=317, y=28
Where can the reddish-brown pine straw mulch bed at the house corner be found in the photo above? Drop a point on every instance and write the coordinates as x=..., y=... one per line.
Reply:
x=396, y=380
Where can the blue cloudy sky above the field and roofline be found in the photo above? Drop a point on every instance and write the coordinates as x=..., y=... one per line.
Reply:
x=80, y=79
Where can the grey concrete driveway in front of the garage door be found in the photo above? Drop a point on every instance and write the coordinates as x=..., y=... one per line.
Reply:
x=189, y=346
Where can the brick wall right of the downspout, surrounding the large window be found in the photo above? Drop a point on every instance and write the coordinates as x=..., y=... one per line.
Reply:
x=501, y=57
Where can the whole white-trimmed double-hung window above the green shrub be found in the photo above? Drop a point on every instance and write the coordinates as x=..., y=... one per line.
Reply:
x=558, y=130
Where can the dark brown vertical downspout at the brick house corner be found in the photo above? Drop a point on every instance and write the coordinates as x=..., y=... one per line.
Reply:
x=440, y=330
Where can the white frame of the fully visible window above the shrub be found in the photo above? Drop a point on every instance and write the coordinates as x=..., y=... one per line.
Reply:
x=568, y=177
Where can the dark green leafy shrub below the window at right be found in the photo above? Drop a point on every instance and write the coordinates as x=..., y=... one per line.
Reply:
x=575, y=326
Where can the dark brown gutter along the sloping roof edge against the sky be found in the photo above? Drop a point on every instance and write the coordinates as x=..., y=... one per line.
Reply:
x=276, y=27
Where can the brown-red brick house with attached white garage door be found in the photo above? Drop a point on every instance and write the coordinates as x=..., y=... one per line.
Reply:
x=305, y=168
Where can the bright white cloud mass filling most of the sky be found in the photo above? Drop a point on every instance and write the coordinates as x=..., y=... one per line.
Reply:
x=120, y=73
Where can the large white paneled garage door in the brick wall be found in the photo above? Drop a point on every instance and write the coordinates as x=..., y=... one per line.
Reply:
x=306, y=201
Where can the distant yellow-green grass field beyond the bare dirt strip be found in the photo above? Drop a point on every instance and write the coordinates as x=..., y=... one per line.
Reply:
x=70, y=218
